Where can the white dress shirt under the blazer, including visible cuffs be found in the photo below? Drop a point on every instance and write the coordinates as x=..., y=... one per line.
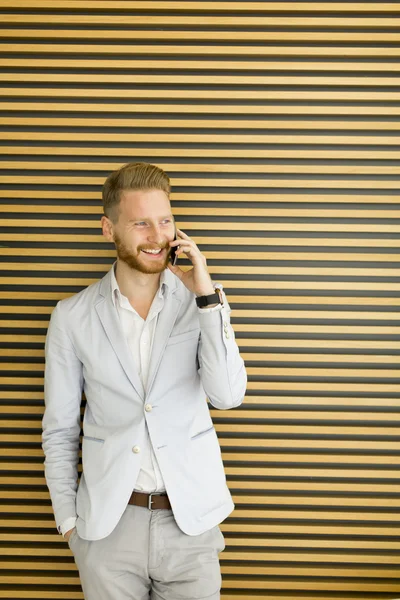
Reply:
x=139, y=334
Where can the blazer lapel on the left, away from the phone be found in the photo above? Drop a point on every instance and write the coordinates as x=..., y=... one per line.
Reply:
x=110, y=321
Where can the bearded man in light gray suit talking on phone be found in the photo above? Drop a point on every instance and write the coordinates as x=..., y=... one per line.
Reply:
x=146, y=344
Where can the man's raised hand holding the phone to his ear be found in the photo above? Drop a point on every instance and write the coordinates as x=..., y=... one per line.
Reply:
x=198, y=279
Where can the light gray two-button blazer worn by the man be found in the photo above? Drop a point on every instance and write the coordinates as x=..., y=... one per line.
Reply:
x=194, y=355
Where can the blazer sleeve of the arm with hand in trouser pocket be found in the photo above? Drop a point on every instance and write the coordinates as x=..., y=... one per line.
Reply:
x=61, y=421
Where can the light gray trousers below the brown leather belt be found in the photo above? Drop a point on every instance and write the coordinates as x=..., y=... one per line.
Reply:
x=147, y=557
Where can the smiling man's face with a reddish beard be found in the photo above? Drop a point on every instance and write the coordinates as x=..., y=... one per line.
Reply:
x=145, y=224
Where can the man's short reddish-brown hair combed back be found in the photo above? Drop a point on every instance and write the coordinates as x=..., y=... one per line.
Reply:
x=133, y=176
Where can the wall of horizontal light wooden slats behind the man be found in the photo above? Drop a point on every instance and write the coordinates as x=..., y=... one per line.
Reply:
x=279, y=123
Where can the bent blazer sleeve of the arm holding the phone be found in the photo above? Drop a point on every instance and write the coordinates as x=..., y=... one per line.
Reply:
x=221, y=368
